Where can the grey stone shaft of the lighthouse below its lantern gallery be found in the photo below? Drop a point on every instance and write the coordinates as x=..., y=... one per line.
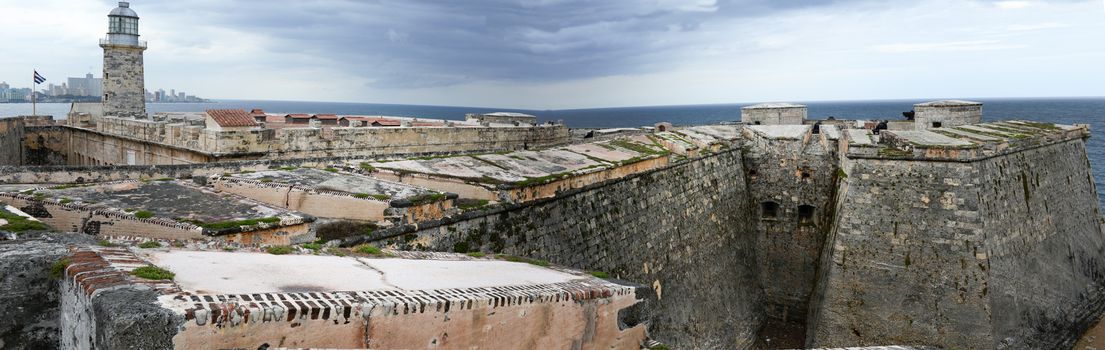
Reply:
x=124, y=82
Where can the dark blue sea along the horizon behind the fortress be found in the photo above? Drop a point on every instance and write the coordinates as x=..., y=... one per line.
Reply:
x=1061, y=111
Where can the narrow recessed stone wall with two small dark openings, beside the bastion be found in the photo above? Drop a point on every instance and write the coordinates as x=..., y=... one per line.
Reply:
x=790, y=175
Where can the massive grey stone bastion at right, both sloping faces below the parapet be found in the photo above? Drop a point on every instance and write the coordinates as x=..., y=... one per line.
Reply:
x=996, y=253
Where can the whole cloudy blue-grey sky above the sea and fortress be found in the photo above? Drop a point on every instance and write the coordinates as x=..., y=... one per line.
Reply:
x=578, y=54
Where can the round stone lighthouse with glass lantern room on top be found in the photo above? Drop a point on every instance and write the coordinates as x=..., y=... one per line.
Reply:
x=124, y=82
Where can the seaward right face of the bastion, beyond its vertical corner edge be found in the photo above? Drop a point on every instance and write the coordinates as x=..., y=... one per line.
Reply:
x=1045, y=247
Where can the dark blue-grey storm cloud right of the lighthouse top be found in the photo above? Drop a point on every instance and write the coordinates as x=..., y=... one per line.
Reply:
x=438, y=44
